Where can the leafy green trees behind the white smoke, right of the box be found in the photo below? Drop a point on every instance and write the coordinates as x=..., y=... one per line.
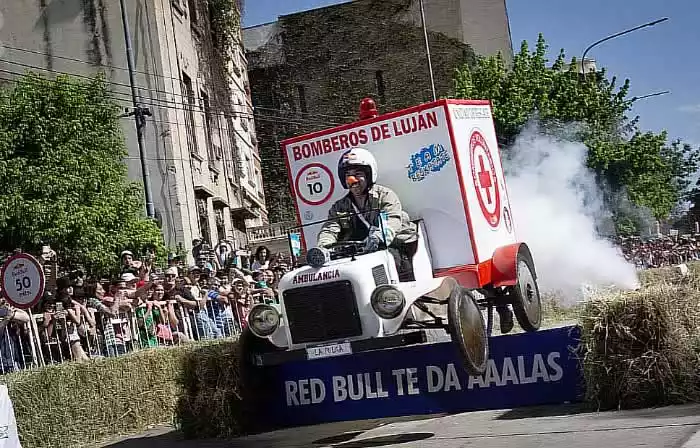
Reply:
x=654, y=172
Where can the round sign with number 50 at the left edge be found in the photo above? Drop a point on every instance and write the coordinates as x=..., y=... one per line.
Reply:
x=22, y=280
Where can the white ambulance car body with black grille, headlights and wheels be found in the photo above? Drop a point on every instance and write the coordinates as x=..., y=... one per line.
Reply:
x=346, y=300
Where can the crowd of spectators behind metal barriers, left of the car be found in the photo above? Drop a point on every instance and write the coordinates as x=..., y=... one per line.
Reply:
x=143, y=306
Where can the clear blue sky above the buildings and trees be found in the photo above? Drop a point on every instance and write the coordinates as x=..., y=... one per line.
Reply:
x=663, y=57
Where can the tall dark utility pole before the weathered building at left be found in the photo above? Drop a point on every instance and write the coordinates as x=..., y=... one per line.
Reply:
x=139, y=113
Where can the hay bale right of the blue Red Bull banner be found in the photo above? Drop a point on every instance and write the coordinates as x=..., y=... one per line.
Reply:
x=642, y=347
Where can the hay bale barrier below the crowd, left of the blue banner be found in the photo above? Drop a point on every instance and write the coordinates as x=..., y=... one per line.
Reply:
x=80, y=404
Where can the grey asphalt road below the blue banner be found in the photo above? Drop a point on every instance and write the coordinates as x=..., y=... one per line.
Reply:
x=539, y=427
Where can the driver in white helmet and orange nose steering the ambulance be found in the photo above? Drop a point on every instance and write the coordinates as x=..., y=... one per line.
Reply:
x=368, y=201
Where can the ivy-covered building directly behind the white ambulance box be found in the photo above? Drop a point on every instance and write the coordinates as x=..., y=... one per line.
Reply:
x=310, y=70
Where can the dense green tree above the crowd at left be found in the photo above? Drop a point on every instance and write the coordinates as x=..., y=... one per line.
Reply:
x=63, y=177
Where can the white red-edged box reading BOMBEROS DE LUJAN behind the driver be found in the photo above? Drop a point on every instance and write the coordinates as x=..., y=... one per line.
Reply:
x=441, y=159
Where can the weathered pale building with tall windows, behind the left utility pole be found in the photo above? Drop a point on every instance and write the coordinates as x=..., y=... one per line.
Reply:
x=205, y=171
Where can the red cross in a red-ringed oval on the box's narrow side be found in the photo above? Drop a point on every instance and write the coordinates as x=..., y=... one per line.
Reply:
x=485, y=179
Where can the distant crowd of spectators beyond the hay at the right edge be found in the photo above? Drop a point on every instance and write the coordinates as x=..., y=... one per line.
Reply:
x=662, y=251
